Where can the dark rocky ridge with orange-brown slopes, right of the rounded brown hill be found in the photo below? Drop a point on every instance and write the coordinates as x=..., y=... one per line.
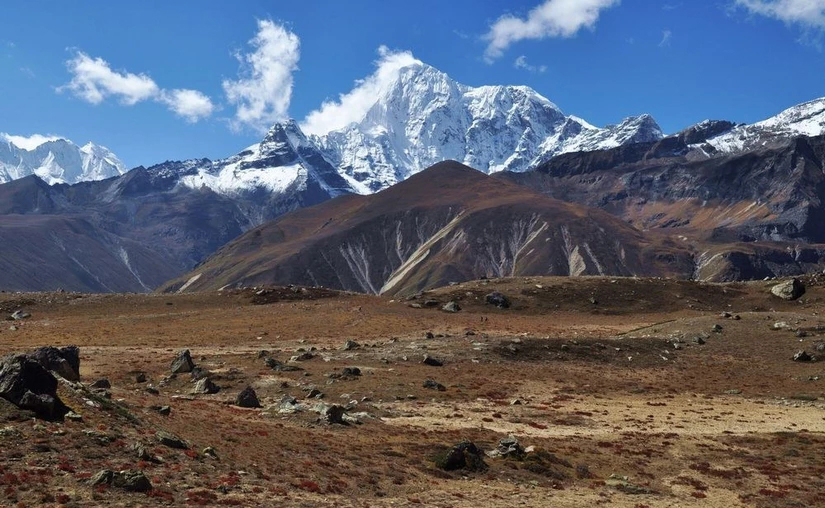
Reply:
x=753, y=210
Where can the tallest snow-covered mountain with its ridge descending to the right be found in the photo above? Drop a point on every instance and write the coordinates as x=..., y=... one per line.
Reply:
x=423, y=117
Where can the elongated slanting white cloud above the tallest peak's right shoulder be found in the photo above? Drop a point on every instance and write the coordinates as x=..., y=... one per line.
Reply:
x=553, y=18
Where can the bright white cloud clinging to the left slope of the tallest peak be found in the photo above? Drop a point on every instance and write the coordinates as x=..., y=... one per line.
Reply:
x=352, y=106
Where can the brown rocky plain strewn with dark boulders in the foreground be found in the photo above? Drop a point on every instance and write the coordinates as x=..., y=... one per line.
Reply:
x=508, y=392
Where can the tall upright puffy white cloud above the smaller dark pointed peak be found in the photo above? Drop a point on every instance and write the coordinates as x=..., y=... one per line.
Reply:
x=263, y=90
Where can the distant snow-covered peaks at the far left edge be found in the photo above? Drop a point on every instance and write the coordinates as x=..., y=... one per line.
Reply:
x=56, y=160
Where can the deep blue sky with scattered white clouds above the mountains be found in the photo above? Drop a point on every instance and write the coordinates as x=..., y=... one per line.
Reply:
x=158, y=80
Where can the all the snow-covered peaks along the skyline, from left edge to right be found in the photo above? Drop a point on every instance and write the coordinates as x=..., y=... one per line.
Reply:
x=419, y=118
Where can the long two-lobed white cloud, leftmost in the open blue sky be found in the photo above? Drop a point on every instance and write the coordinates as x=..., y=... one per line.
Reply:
x=93, y=80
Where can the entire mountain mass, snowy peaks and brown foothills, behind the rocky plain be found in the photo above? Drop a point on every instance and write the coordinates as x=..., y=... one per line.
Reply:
x=553, y=195
